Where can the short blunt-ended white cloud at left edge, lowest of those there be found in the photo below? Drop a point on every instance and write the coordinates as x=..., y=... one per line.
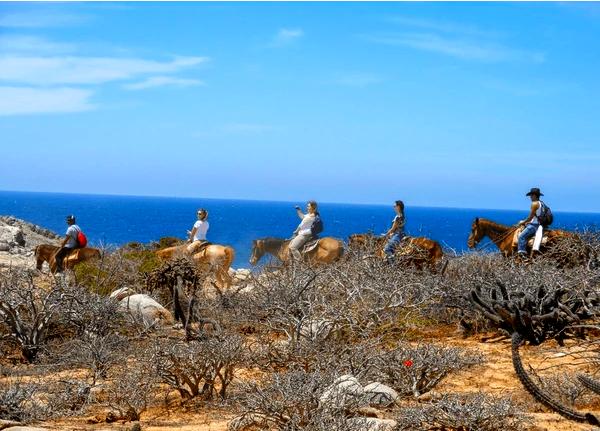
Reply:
x=26, y=100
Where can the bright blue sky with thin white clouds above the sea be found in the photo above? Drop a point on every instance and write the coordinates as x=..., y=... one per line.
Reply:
x=439, y=104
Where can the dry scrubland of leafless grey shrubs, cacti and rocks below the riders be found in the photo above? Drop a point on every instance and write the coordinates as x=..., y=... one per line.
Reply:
x=356, y=345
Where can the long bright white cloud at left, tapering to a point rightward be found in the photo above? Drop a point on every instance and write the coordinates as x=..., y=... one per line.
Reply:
x=35, y=70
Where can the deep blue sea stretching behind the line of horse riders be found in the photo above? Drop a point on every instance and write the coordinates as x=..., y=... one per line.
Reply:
x=116, y=220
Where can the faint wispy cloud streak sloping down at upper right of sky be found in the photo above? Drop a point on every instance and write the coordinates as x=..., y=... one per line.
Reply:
x=457, y=47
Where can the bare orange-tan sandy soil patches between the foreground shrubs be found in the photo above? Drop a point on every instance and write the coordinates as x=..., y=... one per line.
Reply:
x=496, y=377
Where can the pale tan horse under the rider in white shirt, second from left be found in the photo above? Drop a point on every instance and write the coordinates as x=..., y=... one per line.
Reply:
x=218, y=257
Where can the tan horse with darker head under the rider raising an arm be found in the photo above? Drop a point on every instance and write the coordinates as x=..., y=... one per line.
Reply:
x=327, y=250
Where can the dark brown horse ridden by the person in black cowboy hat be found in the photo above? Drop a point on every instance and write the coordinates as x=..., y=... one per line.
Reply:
x=504, y=236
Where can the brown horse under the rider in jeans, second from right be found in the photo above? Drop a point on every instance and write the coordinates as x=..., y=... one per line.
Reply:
x=417, y=251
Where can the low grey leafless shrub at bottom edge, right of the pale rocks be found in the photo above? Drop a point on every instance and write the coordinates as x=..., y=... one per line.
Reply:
x=464, y=412
